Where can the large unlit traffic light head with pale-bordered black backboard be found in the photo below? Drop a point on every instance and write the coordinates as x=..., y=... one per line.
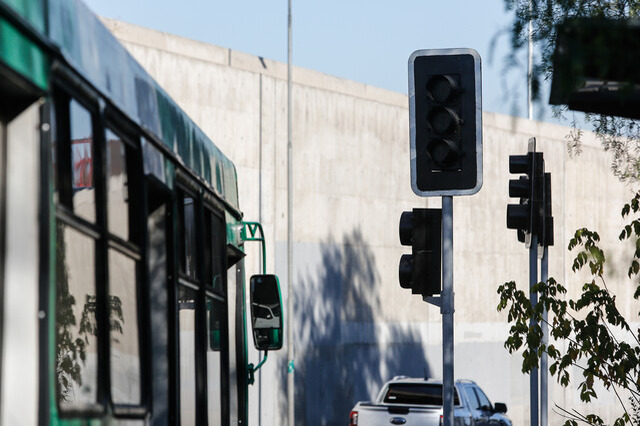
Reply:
x=445, y=112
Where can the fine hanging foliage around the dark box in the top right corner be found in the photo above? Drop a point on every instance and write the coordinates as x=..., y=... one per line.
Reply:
x=619, y=136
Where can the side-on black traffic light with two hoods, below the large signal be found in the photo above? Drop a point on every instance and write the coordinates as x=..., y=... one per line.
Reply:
x=421, y=270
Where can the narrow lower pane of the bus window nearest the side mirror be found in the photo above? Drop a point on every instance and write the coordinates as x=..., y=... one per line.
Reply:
x=215, y=328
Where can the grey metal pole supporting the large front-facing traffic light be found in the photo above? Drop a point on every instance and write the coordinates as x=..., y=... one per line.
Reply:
x=447, y=310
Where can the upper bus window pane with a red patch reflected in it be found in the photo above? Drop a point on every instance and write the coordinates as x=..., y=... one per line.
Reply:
x=82, y=162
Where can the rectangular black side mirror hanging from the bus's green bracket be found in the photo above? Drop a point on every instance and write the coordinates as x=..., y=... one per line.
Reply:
x=266, y=312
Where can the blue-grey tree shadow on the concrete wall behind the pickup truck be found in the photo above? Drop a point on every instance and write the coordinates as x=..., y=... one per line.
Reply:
x=341, y=355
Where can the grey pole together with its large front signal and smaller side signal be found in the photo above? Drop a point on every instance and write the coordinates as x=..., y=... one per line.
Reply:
x=445, y=129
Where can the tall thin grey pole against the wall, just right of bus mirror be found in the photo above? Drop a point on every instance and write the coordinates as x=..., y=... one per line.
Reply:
x=290, y=345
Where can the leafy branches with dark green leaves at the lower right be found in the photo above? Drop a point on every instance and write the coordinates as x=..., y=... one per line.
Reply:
x=594, y=337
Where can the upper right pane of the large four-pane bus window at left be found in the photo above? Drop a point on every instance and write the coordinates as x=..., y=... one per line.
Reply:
x=117, y=187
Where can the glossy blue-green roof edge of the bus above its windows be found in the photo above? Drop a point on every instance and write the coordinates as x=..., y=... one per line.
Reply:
x=88, y=46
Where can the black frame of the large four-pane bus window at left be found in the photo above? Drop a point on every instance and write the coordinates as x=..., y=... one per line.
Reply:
x=65, y=89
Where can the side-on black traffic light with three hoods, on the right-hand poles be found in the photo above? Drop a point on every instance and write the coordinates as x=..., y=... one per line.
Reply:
x=527, y=216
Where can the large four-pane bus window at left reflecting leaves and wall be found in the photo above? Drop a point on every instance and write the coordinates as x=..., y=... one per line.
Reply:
x=98, y=264
